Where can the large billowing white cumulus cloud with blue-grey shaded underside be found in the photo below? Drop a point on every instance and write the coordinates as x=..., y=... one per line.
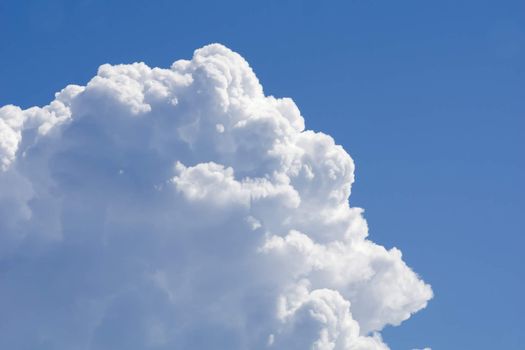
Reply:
x=182, y=208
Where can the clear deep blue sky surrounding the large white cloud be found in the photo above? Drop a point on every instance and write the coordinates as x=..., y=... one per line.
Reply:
x=427, y=96
